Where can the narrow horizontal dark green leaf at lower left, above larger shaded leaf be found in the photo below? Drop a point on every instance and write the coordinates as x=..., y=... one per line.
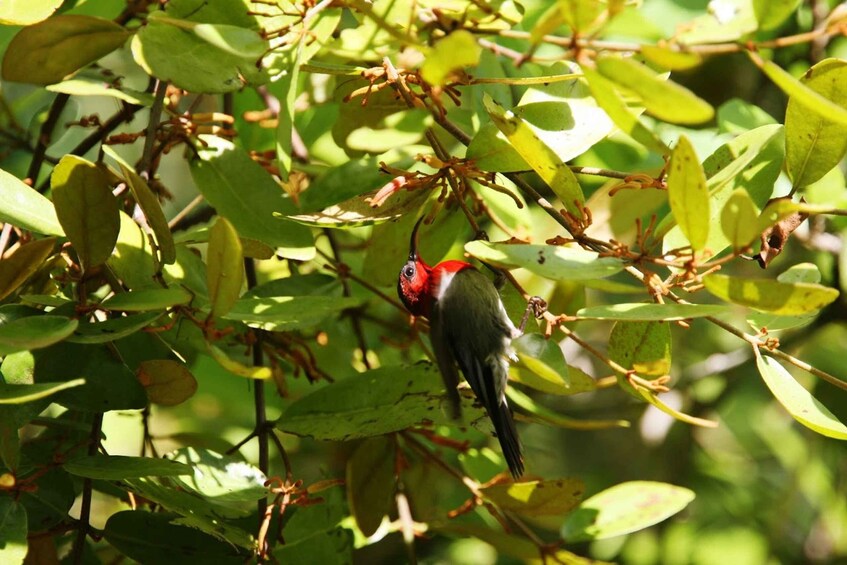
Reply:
x=119, y=467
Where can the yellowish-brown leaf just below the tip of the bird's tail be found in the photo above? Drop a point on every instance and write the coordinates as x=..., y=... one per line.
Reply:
x=536, y=498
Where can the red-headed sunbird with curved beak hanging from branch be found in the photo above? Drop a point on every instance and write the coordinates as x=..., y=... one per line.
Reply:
x=469, y=327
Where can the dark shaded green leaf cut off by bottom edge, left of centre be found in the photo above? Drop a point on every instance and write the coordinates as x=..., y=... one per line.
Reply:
x=156, y=537
